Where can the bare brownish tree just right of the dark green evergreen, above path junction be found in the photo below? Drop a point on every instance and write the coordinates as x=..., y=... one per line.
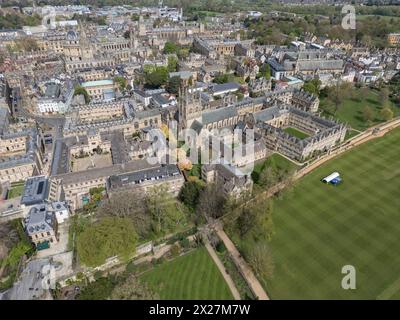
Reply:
x=211, y=201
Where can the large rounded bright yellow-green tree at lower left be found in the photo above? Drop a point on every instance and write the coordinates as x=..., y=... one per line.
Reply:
x=108, y=237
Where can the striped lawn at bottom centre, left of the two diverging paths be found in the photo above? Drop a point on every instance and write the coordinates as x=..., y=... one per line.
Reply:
x=192, y=276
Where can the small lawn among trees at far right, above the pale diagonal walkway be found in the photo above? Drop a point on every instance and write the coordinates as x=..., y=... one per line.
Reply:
x=351, y=112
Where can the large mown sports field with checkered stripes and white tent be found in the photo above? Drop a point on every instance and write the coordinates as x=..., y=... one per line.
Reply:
x=320, y=228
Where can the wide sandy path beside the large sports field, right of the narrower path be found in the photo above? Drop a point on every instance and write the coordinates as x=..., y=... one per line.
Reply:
x=242, y=265
